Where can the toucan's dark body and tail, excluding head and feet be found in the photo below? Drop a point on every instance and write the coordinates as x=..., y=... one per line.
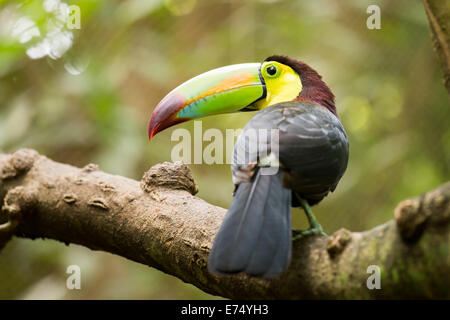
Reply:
x=255, y=236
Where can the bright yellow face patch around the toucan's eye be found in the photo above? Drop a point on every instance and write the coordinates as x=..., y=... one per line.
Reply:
x=282, y=84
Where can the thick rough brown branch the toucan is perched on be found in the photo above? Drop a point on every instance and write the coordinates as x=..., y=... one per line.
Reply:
x=159, y=222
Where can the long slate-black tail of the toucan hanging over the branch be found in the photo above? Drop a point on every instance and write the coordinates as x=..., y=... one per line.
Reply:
x=255, y=236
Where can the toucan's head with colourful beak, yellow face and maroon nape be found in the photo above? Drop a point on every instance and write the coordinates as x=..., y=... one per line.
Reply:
x=241, y=87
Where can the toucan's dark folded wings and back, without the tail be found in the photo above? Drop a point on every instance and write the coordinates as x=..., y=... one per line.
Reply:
x=312, y=147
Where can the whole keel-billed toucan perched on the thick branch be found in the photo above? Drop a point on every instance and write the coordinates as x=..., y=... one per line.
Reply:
x=306, y=163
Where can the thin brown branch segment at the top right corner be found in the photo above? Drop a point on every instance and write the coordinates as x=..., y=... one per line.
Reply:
x=438, y=13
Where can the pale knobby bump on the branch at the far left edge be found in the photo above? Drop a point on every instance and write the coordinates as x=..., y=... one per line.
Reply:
x=18, y=163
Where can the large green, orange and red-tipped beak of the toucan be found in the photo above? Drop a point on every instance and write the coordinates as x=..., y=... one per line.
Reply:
x=223, y=90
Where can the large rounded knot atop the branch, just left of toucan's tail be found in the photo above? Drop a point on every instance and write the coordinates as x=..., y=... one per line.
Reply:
x=169, y=175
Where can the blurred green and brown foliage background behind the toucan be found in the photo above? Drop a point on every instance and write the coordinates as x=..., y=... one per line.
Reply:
x=92, y=104
